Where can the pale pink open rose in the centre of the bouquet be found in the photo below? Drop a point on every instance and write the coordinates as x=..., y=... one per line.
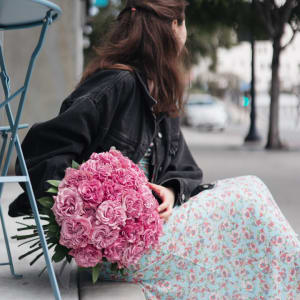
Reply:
x=111, y=213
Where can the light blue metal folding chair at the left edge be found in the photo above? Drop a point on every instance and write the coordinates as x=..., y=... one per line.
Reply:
x=15, y=15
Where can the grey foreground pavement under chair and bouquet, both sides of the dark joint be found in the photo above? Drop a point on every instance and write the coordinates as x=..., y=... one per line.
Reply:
x=73, y=285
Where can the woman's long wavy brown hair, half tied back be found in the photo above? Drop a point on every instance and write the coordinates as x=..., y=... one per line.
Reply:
x=143, y=40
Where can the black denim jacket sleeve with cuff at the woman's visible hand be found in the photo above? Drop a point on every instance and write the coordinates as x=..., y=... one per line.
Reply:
x=183, y=174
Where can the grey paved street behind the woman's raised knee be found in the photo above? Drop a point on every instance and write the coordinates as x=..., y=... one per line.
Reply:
x=224, y=154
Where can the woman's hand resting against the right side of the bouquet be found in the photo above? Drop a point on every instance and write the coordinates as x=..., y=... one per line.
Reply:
x=167, y=196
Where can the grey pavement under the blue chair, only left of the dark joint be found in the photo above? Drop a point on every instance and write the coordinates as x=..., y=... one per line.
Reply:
x=30, y=286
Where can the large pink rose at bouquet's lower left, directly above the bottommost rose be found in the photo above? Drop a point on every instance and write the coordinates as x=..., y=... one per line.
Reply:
x=75, y=232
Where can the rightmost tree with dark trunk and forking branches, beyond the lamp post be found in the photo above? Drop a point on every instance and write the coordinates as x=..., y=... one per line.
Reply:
x=276, y=14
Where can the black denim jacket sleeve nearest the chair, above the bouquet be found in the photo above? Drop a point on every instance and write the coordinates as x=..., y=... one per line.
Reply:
x=85, y=117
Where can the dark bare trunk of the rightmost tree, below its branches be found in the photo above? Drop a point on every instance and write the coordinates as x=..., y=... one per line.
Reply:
x=273, y=134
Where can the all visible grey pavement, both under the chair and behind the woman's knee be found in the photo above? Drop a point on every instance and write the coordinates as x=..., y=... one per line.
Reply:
x=220, y=155
